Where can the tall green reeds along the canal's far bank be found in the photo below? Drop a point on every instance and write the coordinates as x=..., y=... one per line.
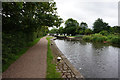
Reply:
x=111, y=38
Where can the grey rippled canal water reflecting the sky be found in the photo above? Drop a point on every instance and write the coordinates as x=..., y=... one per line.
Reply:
x=93, y=60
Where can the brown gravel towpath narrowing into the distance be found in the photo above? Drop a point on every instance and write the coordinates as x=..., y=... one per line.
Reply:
x=32, y=64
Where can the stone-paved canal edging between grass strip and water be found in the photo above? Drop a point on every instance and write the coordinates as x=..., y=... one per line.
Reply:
x=64, y=61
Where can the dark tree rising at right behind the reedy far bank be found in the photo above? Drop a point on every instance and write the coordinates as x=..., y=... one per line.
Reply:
x=99, y=25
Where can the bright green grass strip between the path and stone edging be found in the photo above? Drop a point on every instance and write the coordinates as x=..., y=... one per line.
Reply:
x=51, y=67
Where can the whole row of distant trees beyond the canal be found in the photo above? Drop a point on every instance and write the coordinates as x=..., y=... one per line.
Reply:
x=74, y=28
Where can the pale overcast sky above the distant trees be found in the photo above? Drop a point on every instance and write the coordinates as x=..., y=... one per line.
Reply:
x=89, y=10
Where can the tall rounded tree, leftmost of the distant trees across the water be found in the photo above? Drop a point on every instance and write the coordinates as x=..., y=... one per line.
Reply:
x=71, y=26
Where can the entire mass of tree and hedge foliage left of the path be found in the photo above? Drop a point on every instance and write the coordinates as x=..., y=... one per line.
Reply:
x=24, y=22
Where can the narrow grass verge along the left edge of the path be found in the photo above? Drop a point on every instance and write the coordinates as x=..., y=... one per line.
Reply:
x=13, y=57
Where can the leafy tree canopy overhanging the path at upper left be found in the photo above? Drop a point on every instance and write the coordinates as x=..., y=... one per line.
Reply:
x=20, y=16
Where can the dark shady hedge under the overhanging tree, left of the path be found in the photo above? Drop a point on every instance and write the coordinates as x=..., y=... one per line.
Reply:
x=13, y=44
